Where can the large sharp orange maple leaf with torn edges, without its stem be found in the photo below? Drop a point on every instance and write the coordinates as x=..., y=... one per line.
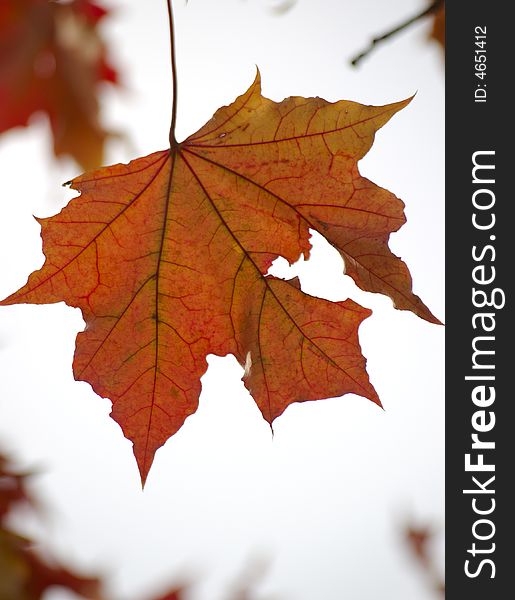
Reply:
x=168, y=256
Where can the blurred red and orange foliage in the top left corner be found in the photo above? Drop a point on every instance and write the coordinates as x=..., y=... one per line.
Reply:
x=51, y=60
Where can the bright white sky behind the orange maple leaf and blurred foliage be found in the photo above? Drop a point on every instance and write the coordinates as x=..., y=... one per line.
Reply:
x=325, y=500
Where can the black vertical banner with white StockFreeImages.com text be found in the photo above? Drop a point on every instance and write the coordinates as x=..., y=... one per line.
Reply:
x=480, y=250
